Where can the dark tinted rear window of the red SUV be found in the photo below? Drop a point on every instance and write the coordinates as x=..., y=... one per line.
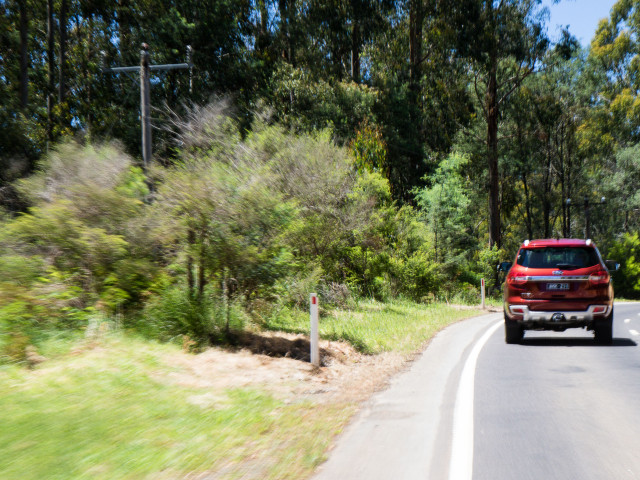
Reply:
x=565, y=258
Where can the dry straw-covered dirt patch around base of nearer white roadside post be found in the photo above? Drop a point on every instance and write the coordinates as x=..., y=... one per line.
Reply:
x=279, y=363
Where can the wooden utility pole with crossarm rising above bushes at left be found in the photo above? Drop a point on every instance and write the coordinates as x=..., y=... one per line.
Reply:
x=145, y=69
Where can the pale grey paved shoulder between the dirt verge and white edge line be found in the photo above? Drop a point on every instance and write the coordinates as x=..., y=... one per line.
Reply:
x=404, y=432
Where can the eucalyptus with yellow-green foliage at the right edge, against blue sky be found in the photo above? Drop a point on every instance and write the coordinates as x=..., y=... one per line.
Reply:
x=610, y=135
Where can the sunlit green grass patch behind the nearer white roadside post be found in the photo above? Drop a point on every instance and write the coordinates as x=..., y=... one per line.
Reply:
x=375, y=327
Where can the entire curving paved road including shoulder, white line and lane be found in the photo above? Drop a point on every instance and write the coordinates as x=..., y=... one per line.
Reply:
x=556, y=407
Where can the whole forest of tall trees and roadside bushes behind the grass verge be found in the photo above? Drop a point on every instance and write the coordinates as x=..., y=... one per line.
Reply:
x=354, y=148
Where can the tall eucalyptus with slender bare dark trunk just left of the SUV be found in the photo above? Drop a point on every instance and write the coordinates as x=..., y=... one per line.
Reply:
x=503, y=41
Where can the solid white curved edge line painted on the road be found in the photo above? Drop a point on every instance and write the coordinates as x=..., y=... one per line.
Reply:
x=461, y=462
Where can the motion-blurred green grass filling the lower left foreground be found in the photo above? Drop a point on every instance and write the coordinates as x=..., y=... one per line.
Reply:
x=111, y=413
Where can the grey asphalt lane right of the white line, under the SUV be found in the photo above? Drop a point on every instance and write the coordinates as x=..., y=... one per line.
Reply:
x=560, y=407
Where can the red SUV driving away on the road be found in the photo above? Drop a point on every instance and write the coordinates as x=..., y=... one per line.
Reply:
x=555, y=285
